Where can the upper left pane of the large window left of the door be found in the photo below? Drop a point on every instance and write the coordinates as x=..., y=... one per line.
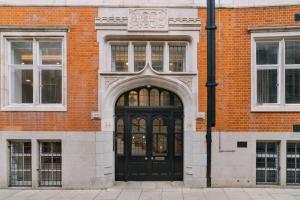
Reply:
x=21, y=52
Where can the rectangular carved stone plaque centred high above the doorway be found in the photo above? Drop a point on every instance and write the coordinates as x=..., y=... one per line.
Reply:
x=140, y=19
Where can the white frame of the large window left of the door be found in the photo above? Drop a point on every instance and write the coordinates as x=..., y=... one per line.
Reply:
x=5, y=80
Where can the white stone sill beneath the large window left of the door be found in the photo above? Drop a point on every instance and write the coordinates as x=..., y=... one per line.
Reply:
x=36, y=108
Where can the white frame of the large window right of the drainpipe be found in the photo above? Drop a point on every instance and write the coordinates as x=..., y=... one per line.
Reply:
x=280, y=106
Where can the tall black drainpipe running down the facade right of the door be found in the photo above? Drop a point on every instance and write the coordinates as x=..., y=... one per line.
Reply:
x=211, y=81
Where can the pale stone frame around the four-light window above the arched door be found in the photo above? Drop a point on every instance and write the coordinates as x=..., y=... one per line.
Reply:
x=148, y=43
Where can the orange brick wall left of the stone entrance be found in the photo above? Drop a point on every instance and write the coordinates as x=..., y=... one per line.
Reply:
x=82, y=68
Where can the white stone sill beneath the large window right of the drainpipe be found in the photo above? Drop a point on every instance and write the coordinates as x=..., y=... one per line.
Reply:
x=276, y=108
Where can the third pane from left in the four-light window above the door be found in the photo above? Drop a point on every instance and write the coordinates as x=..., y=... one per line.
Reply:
x=157, y=57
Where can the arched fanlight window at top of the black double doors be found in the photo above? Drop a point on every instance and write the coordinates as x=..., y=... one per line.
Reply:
x=149, y=97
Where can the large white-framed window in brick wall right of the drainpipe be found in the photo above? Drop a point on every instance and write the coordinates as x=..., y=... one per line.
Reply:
x=276, y=83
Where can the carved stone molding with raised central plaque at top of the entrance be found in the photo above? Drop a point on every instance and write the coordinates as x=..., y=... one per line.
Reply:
x=147, y=19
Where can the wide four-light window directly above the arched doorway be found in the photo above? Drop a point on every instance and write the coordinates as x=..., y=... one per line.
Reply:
x=161, y=56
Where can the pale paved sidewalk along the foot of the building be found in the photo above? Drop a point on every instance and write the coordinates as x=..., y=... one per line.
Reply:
x=154, y=191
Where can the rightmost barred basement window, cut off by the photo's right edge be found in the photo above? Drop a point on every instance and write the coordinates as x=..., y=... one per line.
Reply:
x=293, y=163
